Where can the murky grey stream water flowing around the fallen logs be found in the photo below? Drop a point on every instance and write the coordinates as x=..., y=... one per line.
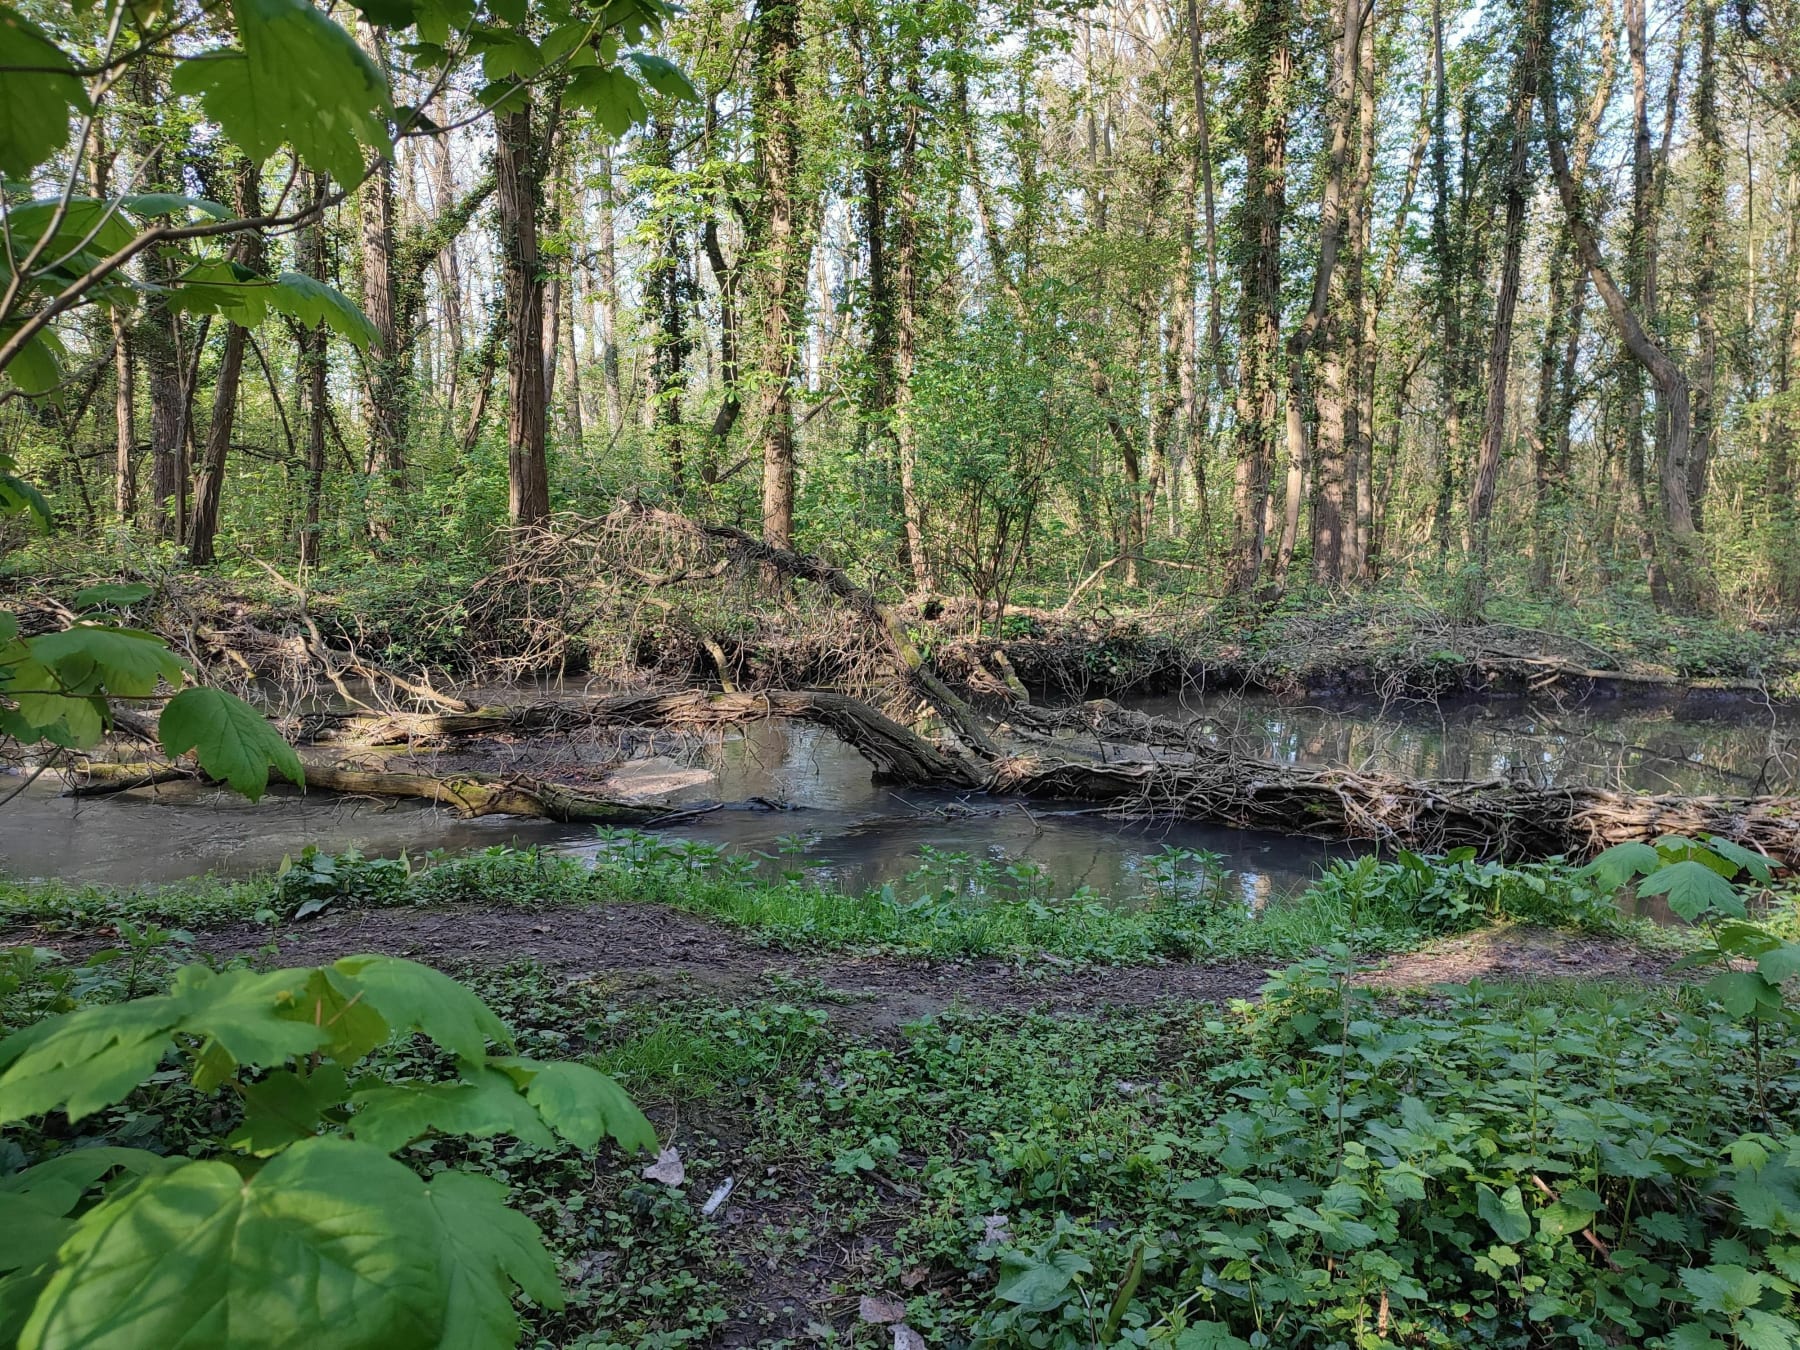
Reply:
x=845, y=831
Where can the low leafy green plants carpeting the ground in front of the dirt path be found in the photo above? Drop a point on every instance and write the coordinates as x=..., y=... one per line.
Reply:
x=1520, y=1165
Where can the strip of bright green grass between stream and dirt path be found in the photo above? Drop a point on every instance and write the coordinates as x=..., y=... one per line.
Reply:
x=953, y=906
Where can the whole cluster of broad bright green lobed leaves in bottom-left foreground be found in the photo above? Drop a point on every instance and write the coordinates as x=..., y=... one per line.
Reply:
x=314, y=1232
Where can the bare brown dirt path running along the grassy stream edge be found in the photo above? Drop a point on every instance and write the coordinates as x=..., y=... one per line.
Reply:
x=658, y=953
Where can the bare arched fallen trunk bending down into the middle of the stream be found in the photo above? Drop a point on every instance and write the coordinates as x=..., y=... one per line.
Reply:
x=897, y=753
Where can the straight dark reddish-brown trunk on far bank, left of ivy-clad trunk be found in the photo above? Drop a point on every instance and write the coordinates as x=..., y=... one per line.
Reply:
x=519, y=179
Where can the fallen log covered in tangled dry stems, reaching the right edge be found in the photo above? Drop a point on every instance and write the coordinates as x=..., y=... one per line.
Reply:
x=1497, y=818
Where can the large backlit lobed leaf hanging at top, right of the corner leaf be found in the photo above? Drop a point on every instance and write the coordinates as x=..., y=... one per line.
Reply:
x=296, y=80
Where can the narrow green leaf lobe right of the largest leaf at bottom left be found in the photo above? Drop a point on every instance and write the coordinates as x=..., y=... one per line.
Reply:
x=483, y=1250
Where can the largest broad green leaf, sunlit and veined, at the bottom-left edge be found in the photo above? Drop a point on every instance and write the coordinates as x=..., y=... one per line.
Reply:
x=332, y=1243
